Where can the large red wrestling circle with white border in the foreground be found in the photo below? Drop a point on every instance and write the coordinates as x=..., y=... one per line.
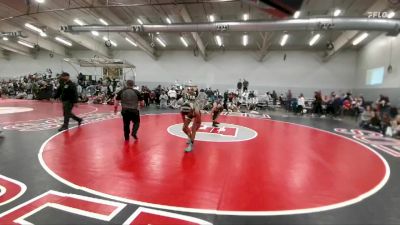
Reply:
x=246, y=167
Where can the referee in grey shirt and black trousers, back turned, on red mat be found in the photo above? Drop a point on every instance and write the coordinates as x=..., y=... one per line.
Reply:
x=129, y=98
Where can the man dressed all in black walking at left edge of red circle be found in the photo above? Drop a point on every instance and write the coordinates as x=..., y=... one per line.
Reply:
x=69, y=96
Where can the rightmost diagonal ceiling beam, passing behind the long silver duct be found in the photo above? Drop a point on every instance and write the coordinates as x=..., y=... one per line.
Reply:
x=345, y=38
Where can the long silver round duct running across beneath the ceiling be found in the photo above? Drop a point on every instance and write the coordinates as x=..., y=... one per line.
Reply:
x=308, y=24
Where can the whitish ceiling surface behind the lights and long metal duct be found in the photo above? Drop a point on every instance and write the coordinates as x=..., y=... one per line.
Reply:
x=156, y=12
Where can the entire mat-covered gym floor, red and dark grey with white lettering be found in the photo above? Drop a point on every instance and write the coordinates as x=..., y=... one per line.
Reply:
x=268, y=168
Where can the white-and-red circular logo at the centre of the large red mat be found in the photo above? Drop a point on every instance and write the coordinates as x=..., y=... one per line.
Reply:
x=223, y=133
